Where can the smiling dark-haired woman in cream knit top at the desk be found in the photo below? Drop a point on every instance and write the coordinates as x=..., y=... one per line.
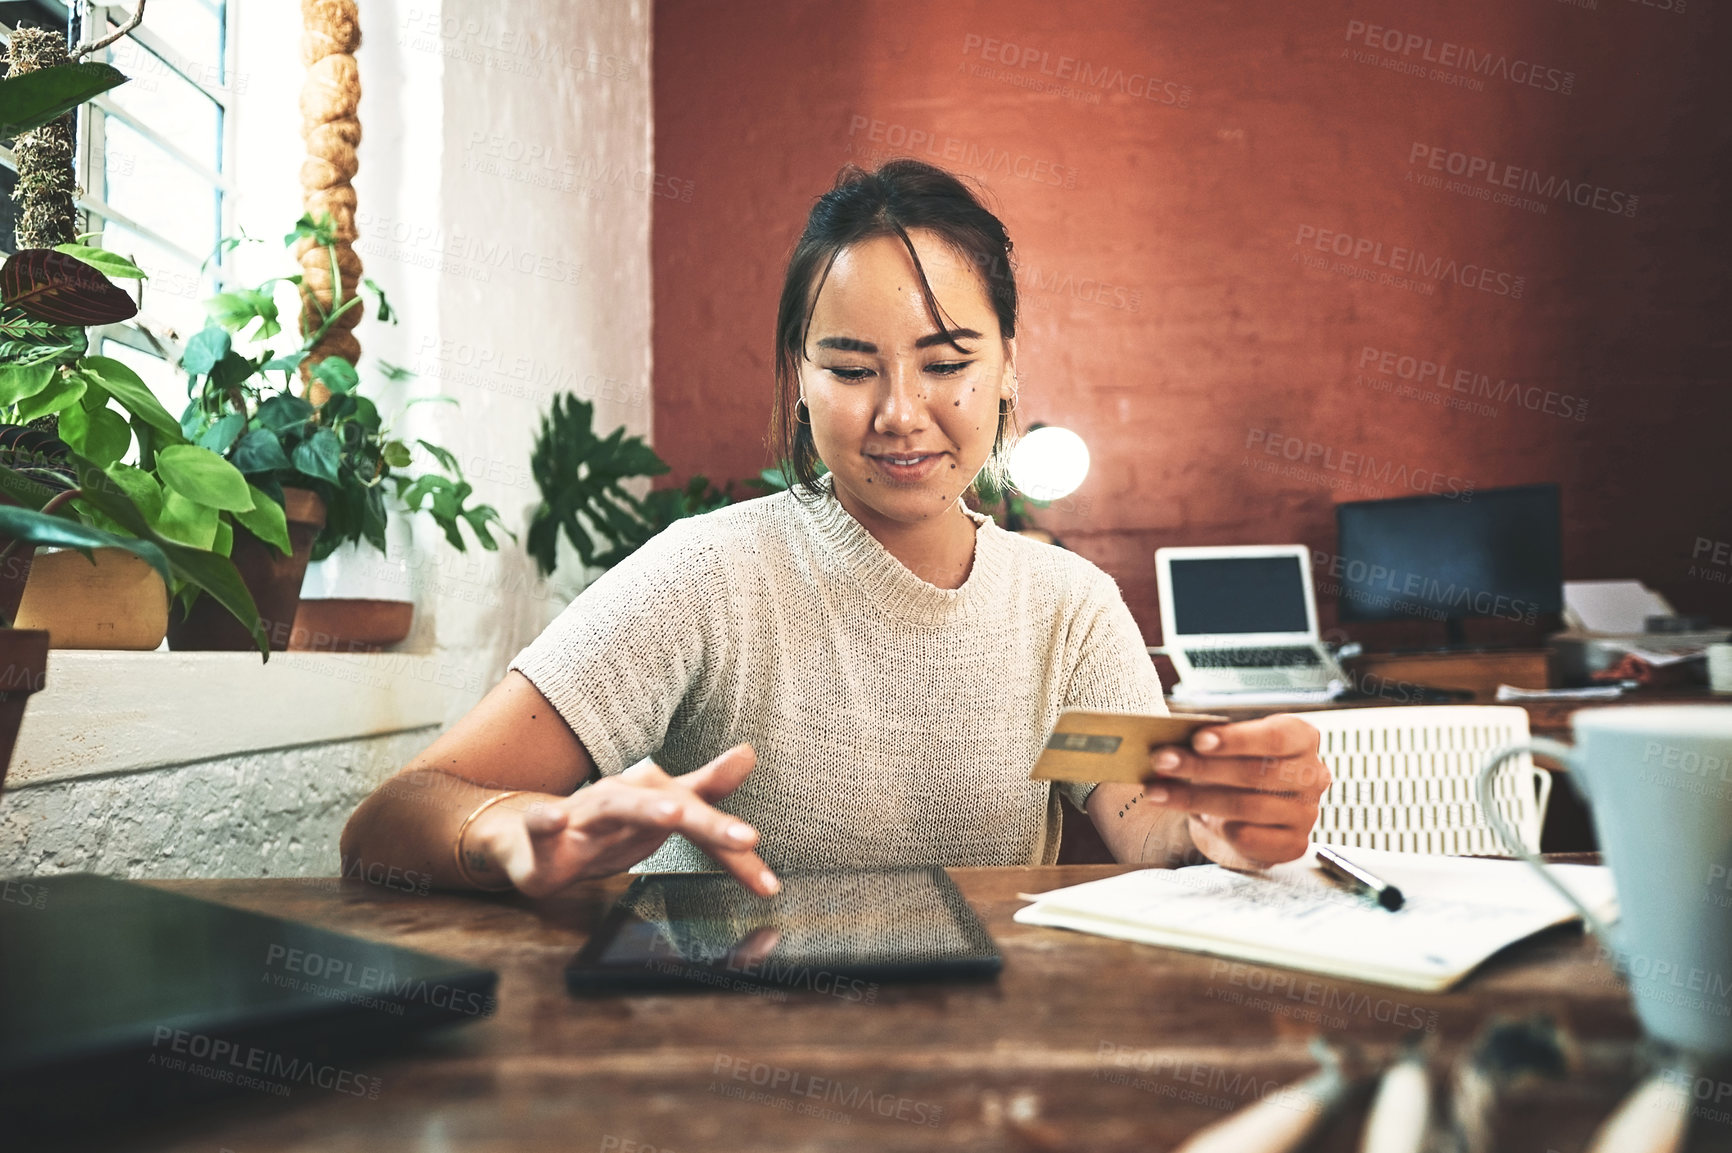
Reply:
x=853, y=673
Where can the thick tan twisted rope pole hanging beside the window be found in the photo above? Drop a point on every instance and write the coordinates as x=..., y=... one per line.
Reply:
x=332, y=129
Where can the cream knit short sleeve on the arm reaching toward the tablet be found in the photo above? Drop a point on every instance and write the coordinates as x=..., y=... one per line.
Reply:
x=623, y=657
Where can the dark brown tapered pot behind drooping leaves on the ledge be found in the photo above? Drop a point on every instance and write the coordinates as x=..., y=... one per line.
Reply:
x=271, y=577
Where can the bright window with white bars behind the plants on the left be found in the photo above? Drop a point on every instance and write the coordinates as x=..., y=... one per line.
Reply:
x=153, y=160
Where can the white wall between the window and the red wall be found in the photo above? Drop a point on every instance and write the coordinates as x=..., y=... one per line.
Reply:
x=505, y=207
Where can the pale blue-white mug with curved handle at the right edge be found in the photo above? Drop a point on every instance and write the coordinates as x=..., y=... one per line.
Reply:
x=1660, y=782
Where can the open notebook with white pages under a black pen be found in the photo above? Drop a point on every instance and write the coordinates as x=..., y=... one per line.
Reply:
x=1459, y=911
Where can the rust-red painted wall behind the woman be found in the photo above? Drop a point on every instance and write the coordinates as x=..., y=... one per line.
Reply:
x=1168, y=174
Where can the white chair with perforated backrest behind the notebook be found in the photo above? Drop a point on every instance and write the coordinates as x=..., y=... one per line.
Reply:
x=1404, y=778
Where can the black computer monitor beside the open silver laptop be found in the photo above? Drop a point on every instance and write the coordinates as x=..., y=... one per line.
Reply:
x=1494, y=553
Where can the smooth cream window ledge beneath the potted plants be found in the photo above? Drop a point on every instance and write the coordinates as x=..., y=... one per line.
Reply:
x=108, y=712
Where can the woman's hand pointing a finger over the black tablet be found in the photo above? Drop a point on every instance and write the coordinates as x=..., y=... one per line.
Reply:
x=612, y=825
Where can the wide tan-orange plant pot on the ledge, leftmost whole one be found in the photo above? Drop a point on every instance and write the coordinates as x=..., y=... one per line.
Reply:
x=119, y=603
